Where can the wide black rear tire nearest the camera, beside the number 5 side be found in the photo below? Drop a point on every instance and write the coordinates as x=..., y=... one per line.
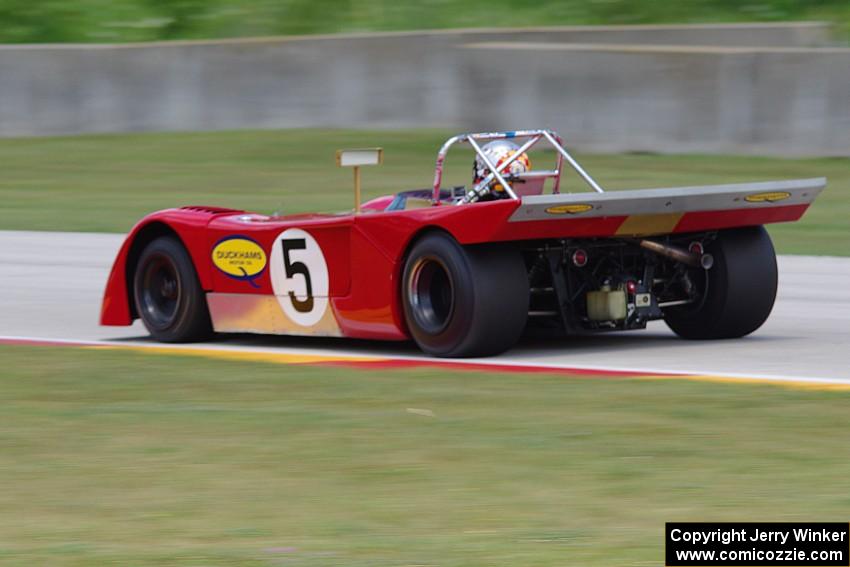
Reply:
x=464, y=301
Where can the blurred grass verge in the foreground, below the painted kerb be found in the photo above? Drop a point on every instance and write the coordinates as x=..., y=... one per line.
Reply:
x=121, y=458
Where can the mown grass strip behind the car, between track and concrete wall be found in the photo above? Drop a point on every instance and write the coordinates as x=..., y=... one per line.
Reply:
x=106, y=183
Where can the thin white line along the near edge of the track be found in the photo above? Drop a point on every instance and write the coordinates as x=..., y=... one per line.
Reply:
x=472, y=363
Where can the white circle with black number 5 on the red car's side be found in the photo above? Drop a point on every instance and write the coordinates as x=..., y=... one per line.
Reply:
x=299, y=276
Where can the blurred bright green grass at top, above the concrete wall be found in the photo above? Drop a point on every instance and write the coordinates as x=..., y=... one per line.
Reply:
x=145, y=20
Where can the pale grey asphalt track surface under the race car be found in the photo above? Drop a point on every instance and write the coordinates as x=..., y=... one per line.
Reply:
x=51, y=285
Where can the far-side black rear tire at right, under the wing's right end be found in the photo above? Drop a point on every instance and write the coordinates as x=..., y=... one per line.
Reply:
x=739, y=289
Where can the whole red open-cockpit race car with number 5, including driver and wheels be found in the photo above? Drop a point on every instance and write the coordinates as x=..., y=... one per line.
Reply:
x=464, y=271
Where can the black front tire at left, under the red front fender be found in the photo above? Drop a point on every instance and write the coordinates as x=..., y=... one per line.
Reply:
x=168, y=295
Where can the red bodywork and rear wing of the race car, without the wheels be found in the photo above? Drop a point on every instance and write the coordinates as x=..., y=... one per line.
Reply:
x=339, y=274
